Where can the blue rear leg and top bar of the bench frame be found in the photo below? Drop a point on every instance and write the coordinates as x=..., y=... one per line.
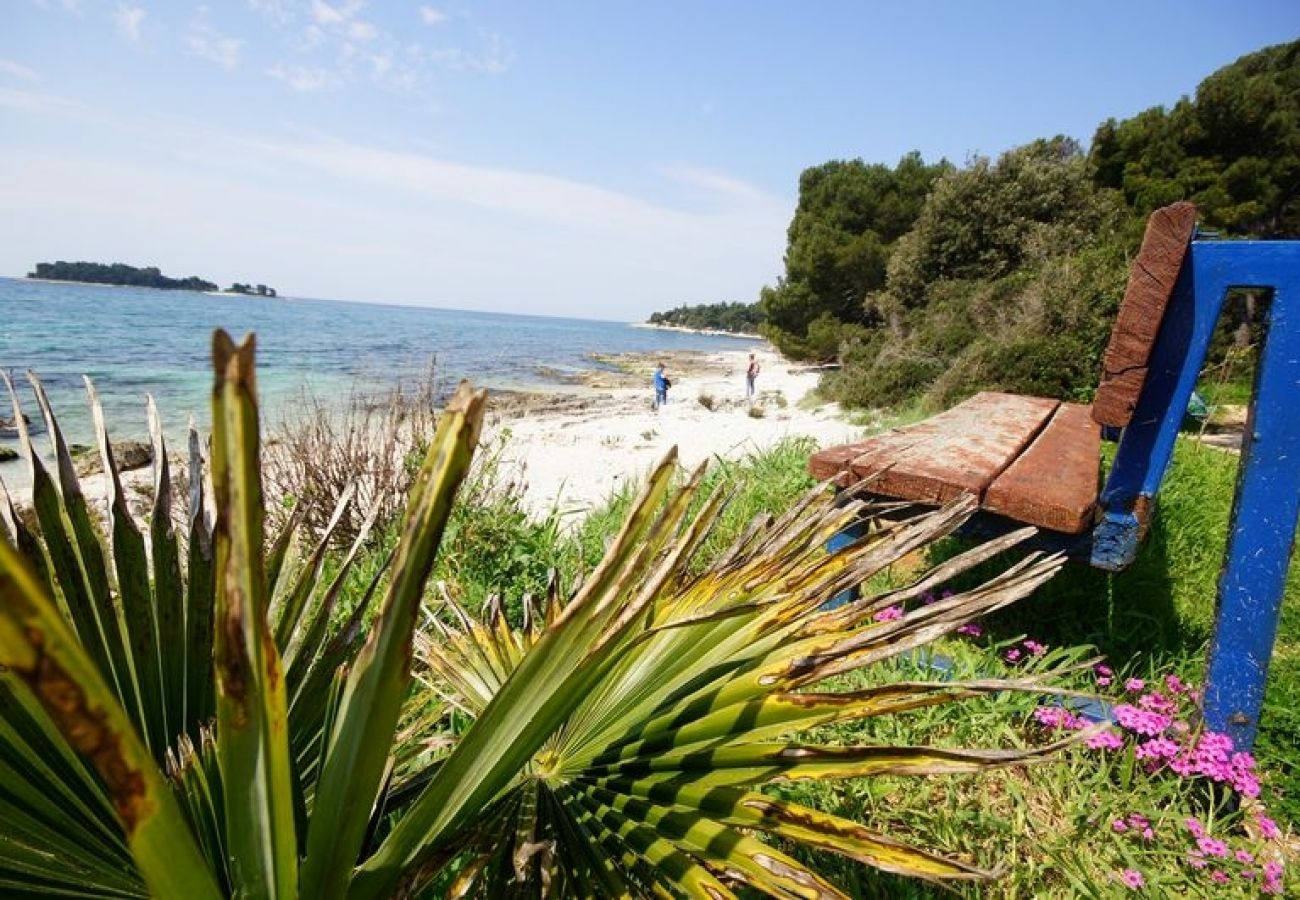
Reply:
x=1267, y=505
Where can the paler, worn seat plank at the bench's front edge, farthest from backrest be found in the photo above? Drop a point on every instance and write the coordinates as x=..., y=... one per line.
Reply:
x=957, y=452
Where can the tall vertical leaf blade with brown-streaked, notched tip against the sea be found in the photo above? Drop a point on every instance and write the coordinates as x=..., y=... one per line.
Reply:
x=252, y=706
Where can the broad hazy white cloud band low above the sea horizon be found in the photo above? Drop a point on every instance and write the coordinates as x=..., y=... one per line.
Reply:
x=396, y=227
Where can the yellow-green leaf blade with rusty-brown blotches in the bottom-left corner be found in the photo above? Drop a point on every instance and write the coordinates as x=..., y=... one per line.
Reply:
x=46, y=656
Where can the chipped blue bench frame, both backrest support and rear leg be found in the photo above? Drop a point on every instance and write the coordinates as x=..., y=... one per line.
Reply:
x=1267, y=504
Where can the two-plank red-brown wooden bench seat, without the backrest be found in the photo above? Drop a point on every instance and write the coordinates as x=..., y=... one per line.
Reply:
x=1030, y=458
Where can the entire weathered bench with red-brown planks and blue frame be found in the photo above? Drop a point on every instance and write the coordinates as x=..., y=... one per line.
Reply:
x=1037, y=461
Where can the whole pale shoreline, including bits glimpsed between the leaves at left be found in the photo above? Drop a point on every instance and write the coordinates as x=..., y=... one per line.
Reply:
x=570, y=448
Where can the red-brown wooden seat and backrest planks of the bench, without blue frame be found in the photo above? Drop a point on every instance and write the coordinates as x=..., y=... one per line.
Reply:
x=1032, y=460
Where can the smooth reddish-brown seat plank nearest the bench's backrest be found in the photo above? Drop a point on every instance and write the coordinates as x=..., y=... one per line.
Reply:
x=1054, y=484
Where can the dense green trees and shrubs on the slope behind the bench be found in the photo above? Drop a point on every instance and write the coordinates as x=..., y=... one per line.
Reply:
x=934, y=282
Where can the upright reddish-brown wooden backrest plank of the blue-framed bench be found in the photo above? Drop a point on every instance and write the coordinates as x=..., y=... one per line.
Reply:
x=1151, y=283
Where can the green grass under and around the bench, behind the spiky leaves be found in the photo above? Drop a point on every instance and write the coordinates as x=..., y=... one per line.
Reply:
x=1050, y=825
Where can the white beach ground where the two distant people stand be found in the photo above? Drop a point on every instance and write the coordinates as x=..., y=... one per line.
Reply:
x=574, y=461
